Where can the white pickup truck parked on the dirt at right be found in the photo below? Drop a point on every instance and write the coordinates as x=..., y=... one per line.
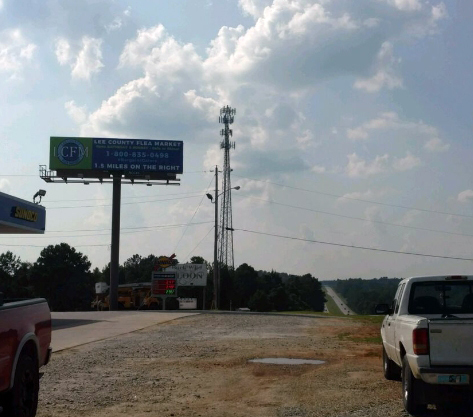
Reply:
x=428, y=341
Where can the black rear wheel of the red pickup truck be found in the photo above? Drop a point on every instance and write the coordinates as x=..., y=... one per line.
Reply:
x=22, y=400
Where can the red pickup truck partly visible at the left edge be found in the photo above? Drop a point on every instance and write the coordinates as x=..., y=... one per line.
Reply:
x=25, y=338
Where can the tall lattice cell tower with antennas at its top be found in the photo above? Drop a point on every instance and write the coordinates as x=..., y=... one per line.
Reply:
x=225, y=255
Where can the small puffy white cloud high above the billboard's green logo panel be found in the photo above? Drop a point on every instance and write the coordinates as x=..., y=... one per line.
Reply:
x=84, y=59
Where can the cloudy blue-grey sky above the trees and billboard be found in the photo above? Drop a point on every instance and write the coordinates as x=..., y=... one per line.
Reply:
x=353, y=127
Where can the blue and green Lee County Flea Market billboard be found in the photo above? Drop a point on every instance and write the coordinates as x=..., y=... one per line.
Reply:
x=107, y=155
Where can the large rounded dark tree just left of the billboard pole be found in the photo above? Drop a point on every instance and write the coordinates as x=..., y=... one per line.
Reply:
x=62, y=275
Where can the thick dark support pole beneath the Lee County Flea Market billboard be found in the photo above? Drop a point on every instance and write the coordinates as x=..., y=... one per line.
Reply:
x=115, y=249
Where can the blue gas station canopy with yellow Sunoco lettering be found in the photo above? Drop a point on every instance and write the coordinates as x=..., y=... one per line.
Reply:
x=20, y=216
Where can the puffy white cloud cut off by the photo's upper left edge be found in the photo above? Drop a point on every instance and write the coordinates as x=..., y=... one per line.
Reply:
x=15, y=52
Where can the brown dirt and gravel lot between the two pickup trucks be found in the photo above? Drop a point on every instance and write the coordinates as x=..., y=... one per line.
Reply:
x=198, y=366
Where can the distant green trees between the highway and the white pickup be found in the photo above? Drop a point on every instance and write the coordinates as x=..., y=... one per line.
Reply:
x=362, y=295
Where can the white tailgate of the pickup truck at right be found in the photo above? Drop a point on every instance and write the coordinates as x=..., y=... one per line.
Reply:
x=451, y=342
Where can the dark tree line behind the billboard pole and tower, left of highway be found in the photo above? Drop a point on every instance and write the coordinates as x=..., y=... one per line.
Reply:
x=63, y=276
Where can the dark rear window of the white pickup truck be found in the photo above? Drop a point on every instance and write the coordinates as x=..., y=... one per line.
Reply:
x=439, y=297
